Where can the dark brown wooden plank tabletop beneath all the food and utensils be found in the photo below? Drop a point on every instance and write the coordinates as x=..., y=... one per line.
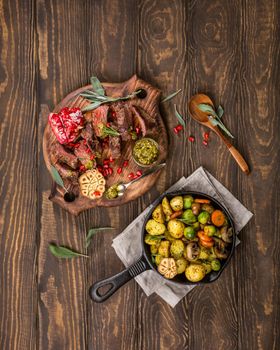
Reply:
x=228, y=49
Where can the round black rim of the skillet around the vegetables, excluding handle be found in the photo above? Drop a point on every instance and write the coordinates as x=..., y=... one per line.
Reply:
x=147, y=254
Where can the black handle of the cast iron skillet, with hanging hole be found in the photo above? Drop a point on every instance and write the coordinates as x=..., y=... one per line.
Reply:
x=116, y=281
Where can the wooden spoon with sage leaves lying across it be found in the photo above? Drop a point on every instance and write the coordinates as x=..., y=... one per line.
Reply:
x=202, y=118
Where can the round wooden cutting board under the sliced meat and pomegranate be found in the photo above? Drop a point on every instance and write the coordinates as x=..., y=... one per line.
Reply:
x=149, y=107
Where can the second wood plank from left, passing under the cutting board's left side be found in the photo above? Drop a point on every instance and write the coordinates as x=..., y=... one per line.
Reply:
x=62, y=284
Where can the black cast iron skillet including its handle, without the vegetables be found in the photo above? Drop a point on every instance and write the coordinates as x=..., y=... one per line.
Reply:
x=113, y=283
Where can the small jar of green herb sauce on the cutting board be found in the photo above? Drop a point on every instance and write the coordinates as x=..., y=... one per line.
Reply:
x=145, y=151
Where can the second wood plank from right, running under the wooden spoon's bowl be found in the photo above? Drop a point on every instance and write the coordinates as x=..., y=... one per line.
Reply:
x=212, y=58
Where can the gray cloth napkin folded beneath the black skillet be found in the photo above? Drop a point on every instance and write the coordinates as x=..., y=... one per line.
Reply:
x=128, y=244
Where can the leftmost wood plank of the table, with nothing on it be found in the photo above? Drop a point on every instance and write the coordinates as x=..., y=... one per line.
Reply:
x=18, y=173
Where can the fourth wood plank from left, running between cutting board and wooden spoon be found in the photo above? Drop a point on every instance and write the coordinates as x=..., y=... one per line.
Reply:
x=162, y=61
